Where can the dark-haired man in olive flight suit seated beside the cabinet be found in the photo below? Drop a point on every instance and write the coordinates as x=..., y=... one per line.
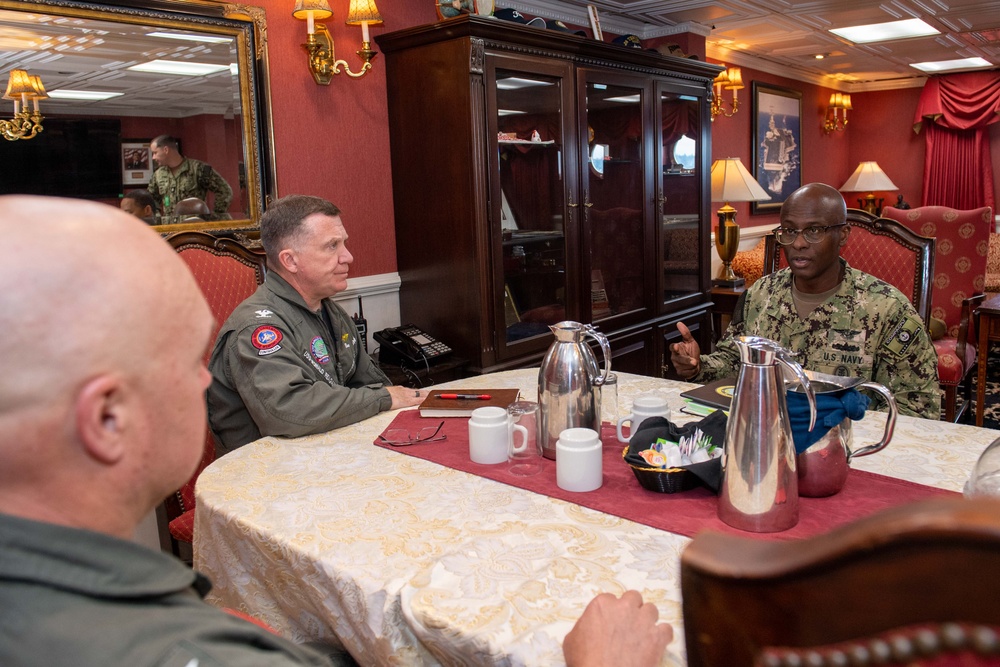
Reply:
x=288, y=361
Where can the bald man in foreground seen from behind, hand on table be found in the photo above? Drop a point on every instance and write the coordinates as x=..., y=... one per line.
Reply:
x=102, y=415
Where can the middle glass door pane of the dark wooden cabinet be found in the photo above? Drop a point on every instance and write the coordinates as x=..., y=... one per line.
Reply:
x=613, y=193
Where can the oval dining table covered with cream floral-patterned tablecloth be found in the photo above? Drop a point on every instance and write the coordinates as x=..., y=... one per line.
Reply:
x=406, y=561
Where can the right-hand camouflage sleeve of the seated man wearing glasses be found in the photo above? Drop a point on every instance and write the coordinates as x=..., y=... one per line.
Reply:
x=907, y=366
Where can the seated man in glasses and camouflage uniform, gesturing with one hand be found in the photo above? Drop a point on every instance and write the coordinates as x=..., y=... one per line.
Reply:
x=837, y=320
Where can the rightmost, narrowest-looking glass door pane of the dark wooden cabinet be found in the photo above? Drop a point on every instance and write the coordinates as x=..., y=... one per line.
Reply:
x=682, y=170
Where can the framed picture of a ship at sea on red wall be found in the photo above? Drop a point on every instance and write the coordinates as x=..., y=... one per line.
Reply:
x=777, y=143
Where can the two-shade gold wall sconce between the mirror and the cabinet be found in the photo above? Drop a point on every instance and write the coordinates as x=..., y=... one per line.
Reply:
x=323, y=63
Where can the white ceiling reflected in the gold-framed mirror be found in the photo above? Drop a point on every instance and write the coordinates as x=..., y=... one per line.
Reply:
x=84, y=54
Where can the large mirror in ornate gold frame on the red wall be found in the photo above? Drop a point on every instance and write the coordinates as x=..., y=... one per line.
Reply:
x=76, y=46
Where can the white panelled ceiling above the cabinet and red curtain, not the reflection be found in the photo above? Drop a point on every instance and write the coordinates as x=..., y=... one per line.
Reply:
x=784, y=36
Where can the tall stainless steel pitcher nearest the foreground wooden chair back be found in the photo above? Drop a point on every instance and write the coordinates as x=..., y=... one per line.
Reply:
x=759, y=491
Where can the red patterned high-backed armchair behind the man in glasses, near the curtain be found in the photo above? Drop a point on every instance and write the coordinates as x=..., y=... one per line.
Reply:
x=959, y=281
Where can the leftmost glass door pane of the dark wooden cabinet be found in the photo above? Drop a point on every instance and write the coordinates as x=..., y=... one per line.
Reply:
x=534, y=267
